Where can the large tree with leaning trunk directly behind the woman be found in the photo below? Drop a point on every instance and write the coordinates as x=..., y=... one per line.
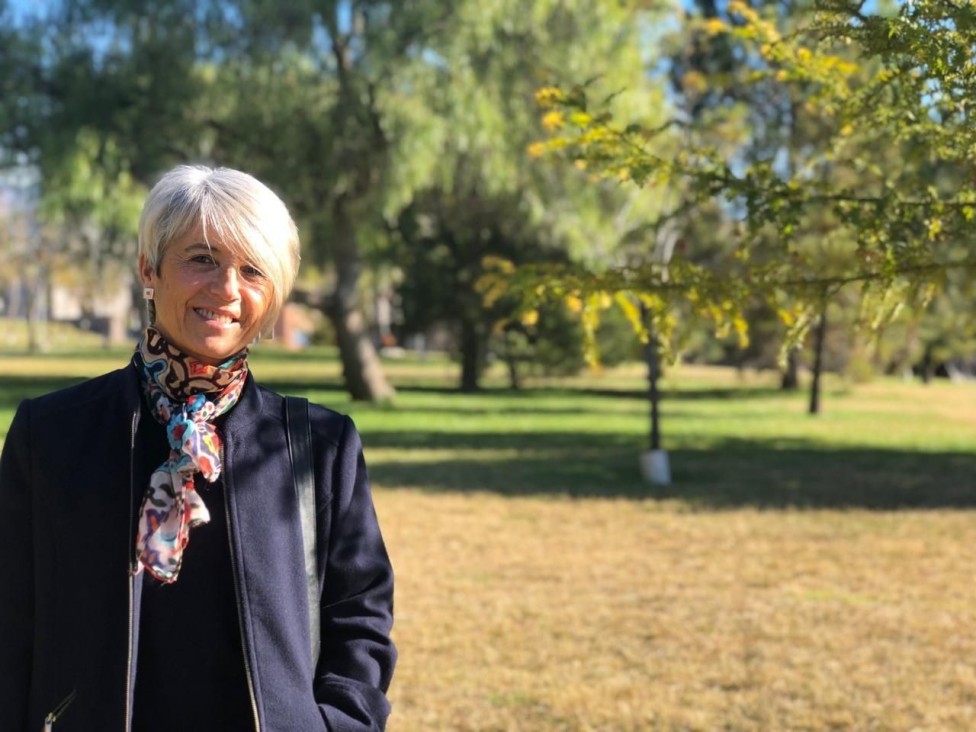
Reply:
x=292, y=93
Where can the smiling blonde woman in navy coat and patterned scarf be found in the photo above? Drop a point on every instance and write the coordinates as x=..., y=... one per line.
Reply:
x=149, y=524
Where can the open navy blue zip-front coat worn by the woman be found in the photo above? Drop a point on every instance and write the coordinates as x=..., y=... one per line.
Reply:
x=69, y=607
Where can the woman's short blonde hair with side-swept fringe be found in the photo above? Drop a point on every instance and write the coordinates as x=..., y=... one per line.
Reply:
x=238, y=209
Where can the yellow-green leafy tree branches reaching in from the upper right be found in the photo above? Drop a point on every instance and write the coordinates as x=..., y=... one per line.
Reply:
x=836, y=144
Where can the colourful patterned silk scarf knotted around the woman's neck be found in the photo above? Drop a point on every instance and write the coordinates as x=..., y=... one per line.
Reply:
x=185, y=395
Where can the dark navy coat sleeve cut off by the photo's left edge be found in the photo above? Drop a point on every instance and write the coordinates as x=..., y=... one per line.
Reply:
x=16, y=557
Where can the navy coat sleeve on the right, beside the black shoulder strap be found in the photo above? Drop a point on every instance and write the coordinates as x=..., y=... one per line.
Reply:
x=357, y=655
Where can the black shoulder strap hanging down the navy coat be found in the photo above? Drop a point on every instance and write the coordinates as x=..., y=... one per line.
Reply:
x=300, y=450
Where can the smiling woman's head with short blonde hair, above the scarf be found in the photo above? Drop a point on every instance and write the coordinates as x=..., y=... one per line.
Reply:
x=219, y=252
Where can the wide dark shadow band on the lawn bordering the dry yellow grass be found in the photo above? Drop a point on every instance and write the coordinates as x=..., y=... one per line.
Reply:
x=731, y=474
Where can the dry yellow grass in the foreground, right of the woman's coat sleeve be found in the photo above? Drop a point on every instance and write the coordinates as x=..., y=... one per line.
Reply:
x=607, y=614
